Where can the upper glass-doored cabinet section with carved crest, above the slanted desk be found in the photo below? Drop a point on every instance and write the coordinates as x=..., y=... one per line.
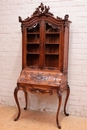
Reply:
x=45, y=40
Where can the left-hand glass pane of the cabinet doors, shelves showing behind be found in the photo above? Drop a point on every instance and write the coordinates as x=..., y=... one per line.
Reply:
x=33, y=45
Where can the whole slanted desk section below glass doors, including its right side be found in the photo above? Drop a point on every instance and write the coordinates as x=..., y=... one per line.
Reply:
x=40, y=77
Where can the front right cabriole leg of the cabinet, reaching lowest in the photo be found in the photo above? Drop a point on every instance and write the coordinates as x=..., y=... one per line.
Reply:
x=60, y=99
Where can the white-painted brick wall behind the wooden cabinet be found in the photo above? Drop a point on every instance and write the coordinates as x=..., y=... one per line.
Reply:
x=10, y=53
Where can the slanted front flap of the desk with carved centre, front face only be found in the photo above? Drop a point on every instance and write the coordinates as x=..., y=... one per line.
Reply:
x=41, y=78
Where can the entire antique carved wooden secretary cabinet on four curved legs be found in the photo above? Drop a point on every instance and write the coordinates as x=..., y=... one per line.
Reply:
x=45, y=41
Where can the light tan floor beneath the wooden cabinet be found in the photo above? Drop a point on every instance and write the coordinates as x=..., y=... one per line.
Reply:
x=36, y=120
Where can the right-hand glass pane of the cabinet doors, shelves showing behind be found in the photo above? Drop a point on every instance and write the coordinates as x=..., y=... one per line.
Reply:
x=52, y=45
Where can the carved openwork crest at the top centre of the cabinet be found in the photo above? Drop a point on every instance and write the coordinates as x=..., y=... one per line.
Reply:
x=42, y=10
